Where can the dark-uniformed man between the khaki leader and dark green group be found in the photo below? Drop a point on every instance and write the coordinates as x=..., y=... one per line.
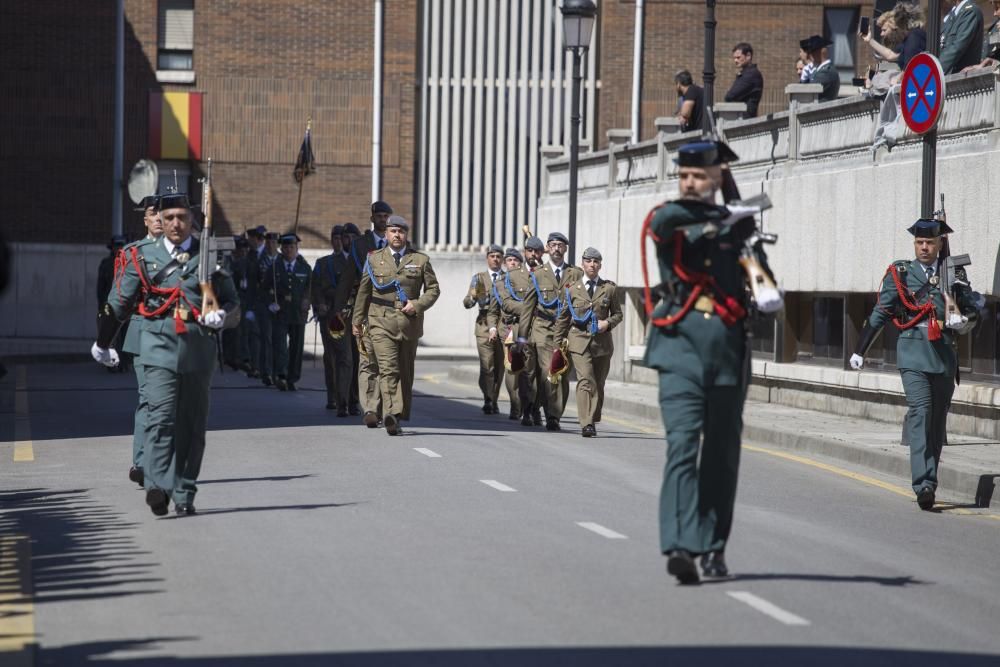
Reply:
x=337, y=353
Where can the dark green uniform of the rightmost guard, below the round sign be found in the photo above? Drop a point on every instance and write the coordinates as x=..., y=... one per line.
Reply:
x=928, y=368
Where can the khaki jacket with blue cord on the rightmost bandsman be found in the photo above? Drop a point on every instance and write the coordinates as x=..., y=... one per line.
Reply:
x=605, y=307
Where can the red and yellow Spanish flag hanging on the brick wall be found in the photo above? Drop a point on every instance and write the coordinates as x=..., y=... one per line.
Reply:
x=175, y=125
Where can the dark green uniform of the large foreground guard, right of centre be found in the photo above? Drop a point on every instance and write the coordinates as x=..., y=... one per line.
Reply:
x=703, y=364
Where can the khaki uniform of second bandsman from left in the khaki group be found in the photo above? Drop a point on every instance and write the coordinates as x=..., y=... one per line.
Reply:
x=513, y=311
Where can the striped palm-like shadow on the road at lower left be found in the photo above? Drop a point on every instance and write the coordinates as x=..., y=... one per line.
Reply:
x=80, y=550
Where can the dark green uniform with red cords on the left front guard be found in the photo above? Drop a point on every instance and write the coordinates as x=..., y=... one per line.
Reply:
x=178, y=358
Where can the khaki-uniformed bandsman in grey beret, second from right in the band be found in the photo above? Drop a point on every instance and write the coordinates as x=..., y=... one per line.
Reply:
x=550, y=280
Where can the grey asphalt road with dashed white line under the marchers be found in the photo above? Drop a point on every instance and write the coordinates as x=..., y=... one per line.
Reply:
x=470, y=540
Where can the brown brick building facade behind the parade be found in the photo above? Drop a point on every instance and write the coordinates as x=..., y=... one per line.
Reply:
x=267, y=65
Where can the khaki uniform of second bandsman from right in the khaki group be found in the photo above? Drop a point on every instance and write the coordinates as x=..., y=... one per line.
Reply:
x=544, y=331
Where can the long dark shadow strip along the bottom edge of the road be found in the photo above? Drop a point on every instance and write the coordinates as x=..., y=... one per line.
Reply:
x=639, y=656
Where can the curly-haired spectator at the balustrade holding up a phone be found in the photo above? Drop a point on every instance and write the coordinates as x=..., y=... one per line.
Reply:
x=902, y=29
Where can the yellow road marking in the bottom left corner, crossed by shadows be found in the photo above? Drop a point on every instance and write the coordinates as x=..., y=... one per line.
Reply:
x=17, y=610
